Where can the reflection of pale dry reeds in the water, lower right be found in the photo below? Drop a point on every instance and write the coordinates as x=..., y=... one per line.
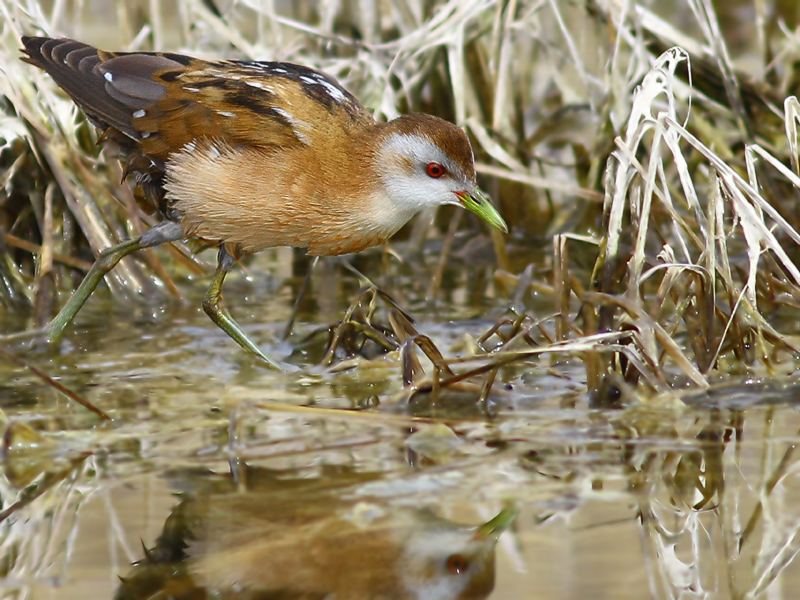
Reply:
x=710, y=522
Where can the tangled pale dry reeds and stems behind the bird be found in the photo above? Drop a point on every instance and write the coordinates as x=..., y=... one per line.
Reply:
x=664, y=178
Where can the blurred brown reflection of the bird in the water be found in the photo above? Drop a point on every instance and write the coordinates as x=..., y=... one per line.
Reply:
x=303, y=539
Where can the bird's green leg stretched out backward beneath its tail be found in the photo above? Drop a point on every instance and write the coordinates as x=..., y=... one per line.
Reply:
x=167, y=231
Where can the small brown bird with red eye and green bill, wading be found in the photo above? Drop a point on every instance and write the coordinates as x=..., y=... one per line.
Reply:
x=248, y=155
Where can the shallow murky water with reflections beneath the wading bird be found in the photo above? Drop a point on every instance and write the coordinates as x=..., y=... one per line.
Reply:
x=694, y=499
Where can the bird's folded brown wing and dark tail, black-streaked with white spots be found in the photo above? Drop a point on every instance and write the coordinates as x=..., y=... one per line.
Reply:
x=151, y=105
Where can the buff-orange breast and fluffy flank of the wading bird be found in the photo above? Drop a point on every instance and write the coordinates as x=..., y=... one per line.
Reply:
x=257, y=199
